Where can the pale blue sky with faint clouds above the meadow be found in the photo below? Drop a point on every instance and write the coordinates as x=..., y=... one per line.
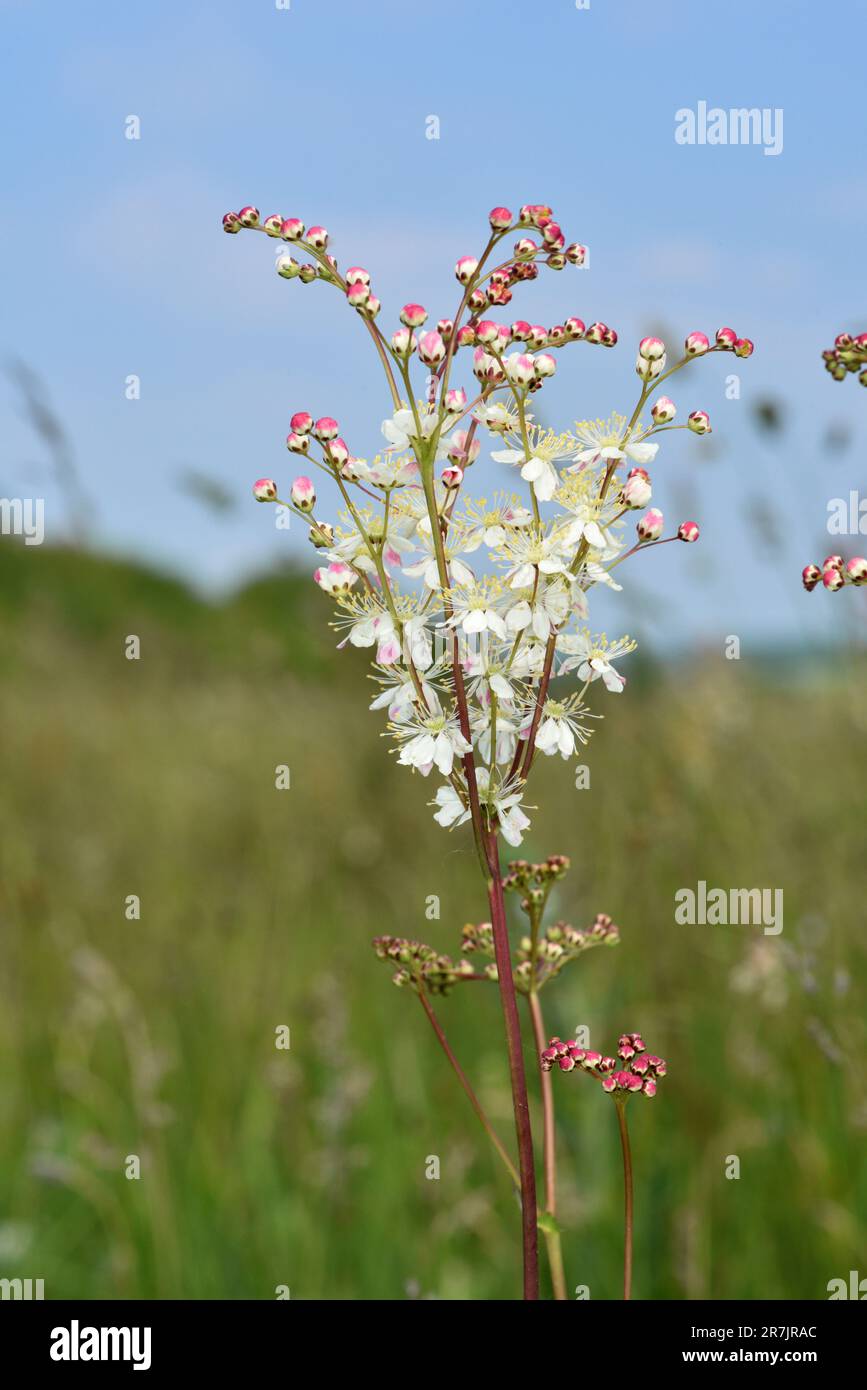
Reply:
x=116, y=262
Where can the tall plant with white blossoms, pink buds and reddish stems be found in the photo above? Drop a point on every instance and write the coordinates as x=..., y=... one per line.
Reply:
x=473, y=608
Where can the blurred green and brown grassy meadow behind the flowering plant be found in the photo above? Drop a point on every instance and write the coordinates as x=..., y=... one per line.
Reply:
x=306, y=1168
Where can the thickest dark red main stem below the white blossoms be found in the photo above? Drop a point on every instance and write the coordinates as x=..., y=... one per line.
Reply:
x=516, y=1068
